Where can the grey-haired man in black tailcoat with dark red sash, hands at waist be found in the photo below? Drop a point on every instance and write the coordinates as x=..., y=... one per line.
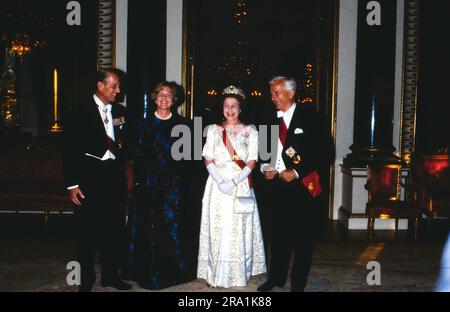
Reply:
x=294, y=182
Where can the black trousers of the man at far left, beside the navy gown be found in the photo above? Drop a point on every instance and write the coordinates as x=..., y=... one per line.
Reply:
x=101, y=221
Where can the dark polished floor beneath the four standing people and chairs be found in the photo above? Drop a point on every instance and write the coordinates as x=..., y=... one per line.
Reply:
x=34, y=259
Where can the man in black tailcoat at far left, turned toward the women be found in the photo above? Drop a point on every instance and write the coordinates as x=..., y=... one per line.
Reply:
x=94, y=169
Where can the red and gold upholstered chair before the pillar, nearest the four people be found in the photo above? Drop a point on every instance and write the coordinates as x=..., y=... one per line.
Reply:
x=384, y=185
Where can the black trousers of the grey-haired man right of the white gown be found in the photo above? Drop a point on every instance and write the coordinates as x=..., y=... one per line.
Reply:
x=293, y=228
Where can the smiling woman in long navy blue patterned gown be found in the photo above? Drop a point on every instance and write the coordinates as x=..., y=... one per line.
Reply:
x=155, y=222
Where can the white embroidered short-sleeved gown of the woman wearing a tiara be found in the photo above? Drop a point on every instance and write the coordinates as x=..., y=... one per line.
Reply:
x=231, y=247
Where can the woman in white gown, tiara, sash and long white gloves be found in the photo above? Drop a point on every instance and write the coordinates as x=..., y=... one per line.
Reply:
x=231, y=247
